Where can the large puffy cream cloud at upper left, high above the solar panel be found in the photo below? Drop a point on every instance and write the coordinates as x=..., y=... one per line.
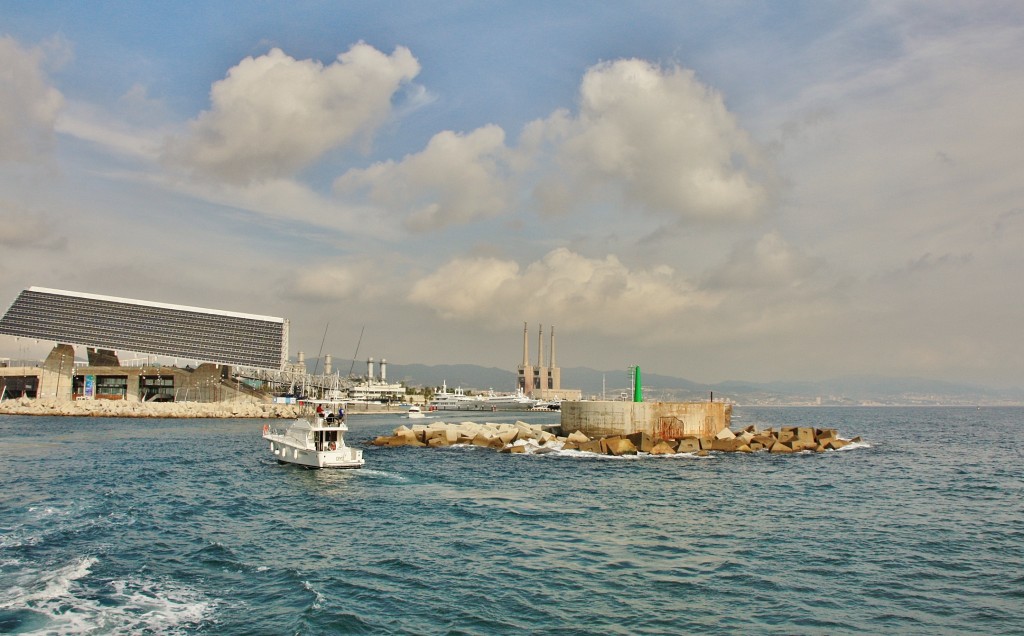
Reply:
x=275, y=115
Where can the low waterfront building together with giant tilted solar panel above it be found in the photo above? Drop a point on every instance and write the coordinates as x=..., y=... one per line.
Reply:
x=216, y=340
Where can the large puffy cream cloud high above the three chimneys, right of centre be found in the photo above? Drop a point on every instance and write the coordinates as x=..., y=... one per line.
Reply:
x=664, y=141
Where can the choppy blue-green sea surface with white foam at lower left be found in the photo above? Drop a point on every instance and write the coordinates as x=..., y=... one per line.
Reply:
x=186, y=527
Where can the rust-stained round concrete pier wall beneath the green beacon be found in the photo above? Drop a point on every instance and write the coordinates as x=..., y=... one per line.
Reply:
x=665, y=420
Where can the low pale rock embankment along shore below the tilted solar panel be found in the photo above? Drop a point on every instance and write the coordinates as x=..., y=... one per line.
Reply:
x=132, y=409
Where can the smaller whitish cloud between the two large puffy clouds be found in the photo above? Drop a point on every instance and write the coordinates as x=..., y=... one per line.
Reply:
x=456, y=180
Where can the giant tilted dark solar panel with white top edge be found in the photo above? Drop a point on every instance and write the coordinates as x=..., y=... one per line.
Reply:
x=145, y=327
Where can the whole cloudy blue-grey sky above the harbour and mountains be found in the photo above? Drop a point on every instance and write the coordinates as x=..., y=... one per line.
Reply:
x=715, y=191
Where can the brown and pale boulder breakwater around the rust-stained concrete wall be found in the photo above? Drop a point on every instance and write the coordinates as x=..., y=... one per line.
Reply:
x=523, y=438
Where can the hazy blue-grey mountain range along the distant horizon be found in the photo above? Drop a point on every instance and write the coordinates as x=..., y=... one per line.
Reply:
x=847, y=391
